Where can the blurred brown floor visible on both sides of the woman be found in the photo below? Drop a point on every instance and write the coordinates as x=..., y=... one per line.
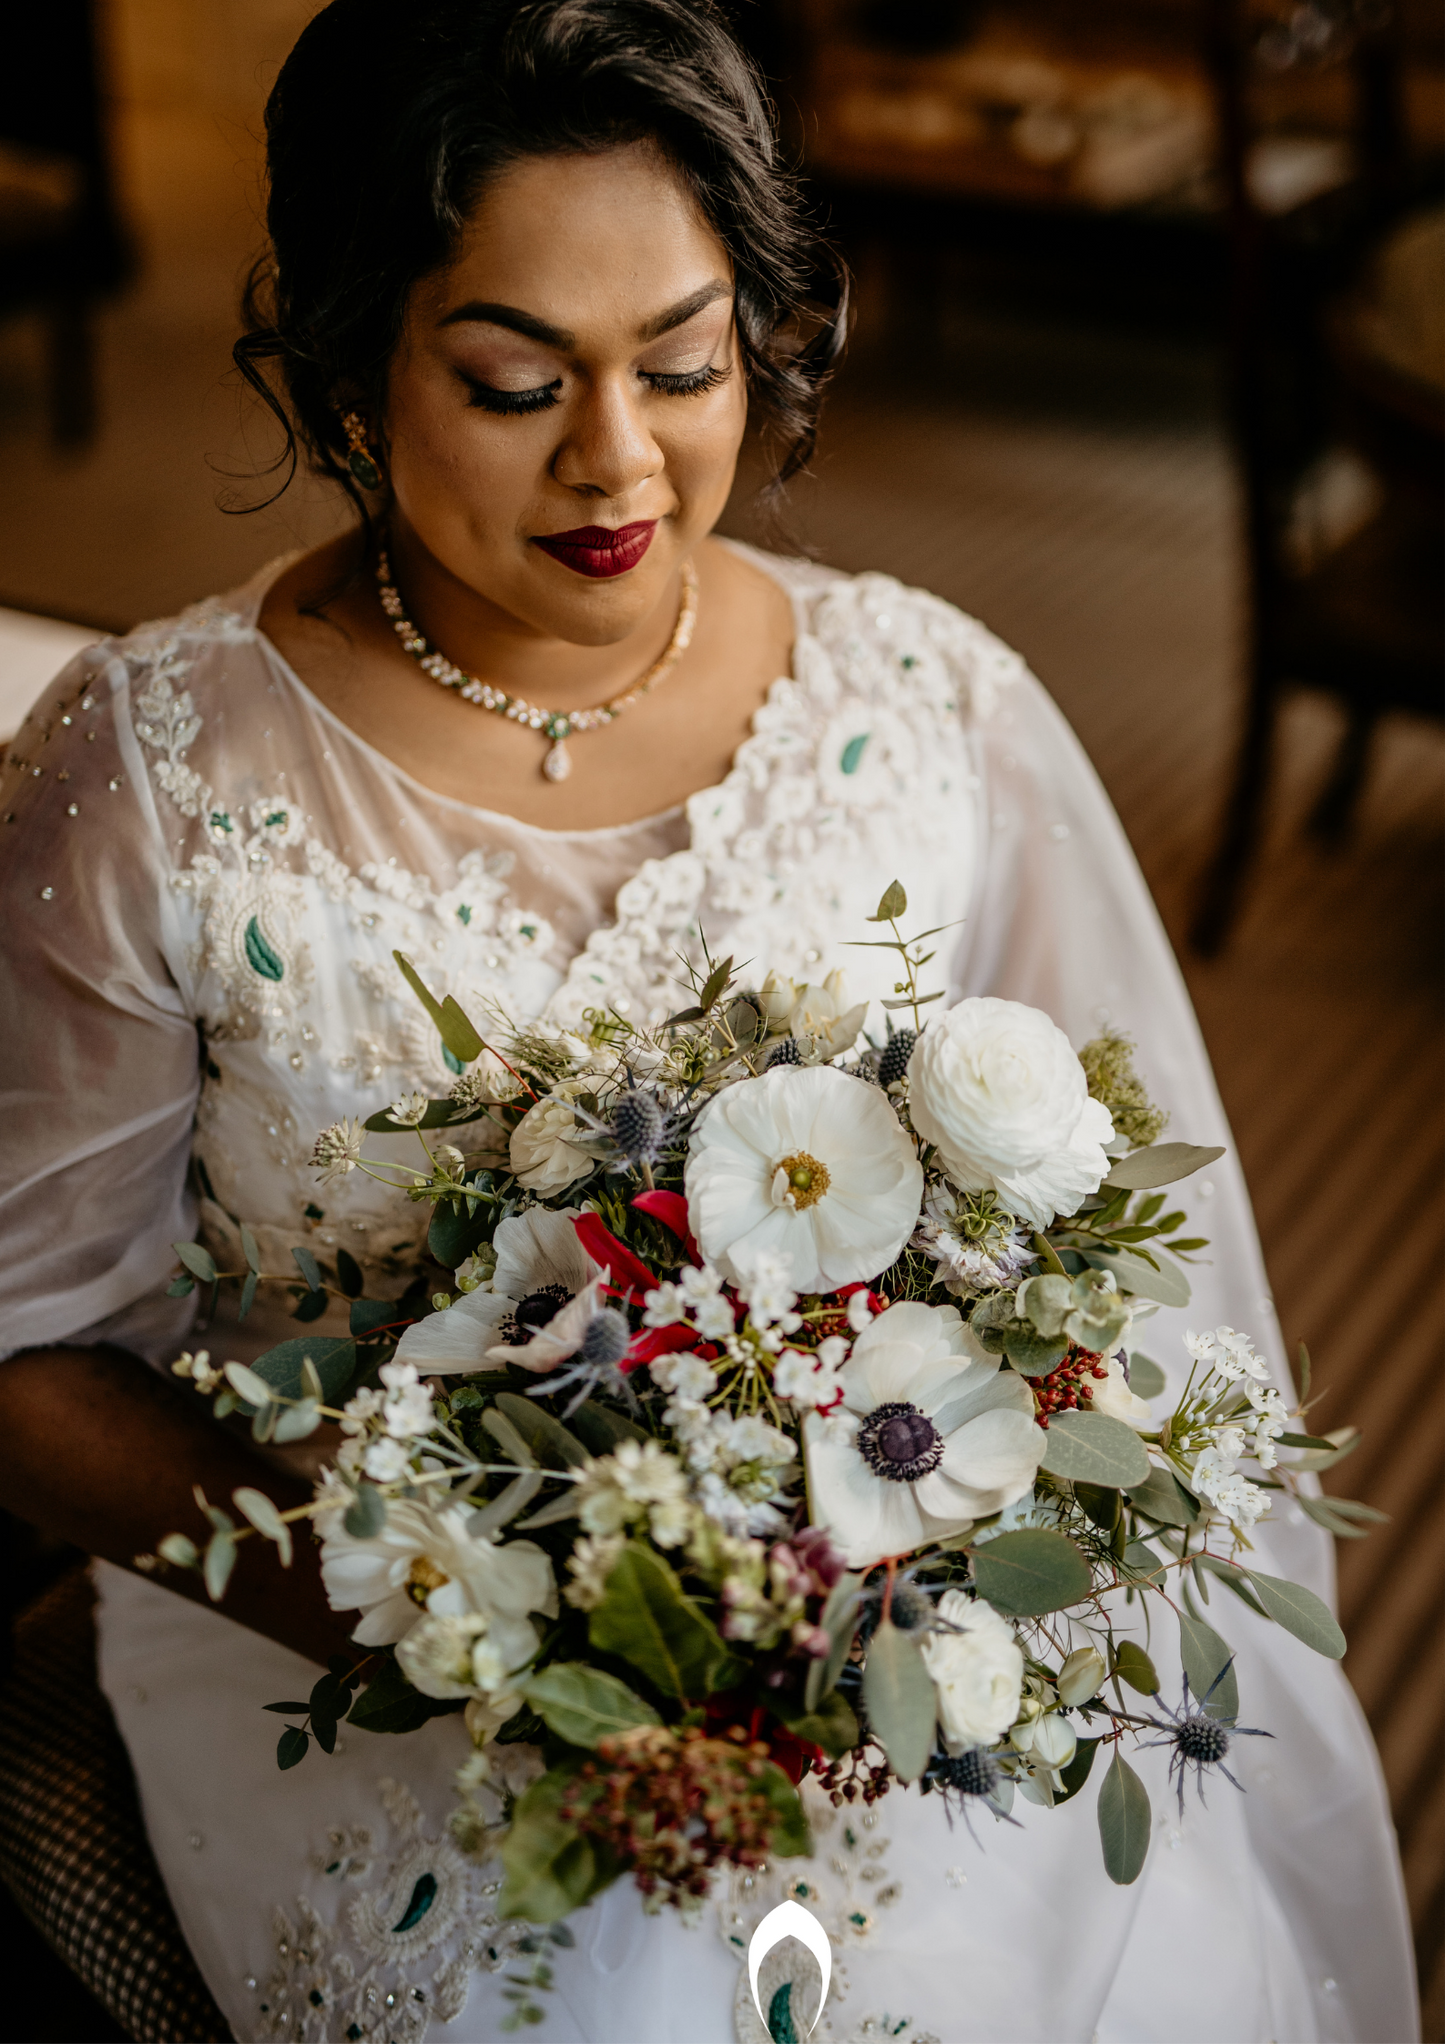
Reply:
x=1074, y=492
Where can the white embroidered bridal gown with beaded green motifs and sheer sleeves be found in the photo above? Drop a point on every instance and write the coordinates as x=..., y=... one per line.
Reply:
x=205, y=876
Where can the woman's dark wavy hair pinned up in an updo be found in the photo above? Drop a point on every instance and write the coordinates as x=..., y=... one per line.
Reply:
x=391, y=118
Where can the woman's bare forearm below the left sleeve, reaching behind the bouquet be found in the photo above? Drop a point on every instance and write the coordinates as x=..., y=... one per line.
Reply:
x=103, y=1452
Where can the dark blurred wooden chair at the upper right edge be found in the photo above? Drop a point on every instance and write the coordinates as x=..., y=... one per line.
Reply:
x=1338, y=387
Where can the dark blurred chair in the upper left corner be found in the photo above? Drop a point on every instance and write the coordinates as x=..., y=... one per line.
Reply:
x=62, y=246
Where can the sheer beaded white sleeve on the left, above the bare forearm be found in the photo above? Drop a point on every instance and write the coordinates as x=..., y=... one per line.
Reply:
x=101, y=1066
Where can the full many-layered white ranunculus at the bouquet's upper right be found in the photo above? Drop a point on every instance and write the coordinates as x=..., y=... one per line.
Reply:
x=1005, y=1097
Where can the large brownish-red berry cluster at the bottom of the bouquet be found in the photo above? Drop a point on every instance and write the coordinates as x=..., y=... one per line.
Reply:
x=673, y=1806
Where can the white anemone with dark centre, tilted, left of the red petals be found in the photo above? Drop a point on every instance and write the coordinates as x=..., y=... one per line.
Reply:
x=541, y=1266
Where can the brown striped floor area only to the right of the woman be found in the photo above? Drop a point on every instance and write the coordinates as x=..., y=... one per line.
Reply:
x=1076, y=494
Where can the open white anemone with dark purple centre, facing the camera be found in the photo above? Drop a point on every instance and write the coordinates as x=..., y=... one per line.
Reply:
x=931, y=1436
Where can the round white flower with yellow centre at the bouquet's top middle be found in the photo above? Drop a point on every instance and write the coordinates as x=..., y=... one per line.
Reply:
x=808, y=1164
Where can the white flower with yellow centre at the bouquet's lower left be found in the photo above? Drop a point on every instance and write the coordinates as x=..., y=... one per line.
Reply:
x=430, y=1561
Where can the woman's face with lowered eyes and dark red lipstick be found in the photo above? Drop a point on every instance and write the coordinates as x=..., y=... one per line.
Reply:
x=567, y=404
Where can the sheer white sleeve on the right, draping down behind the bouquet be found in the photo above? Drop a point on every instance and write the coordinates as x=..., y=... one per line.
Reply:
x=1060, y=917
